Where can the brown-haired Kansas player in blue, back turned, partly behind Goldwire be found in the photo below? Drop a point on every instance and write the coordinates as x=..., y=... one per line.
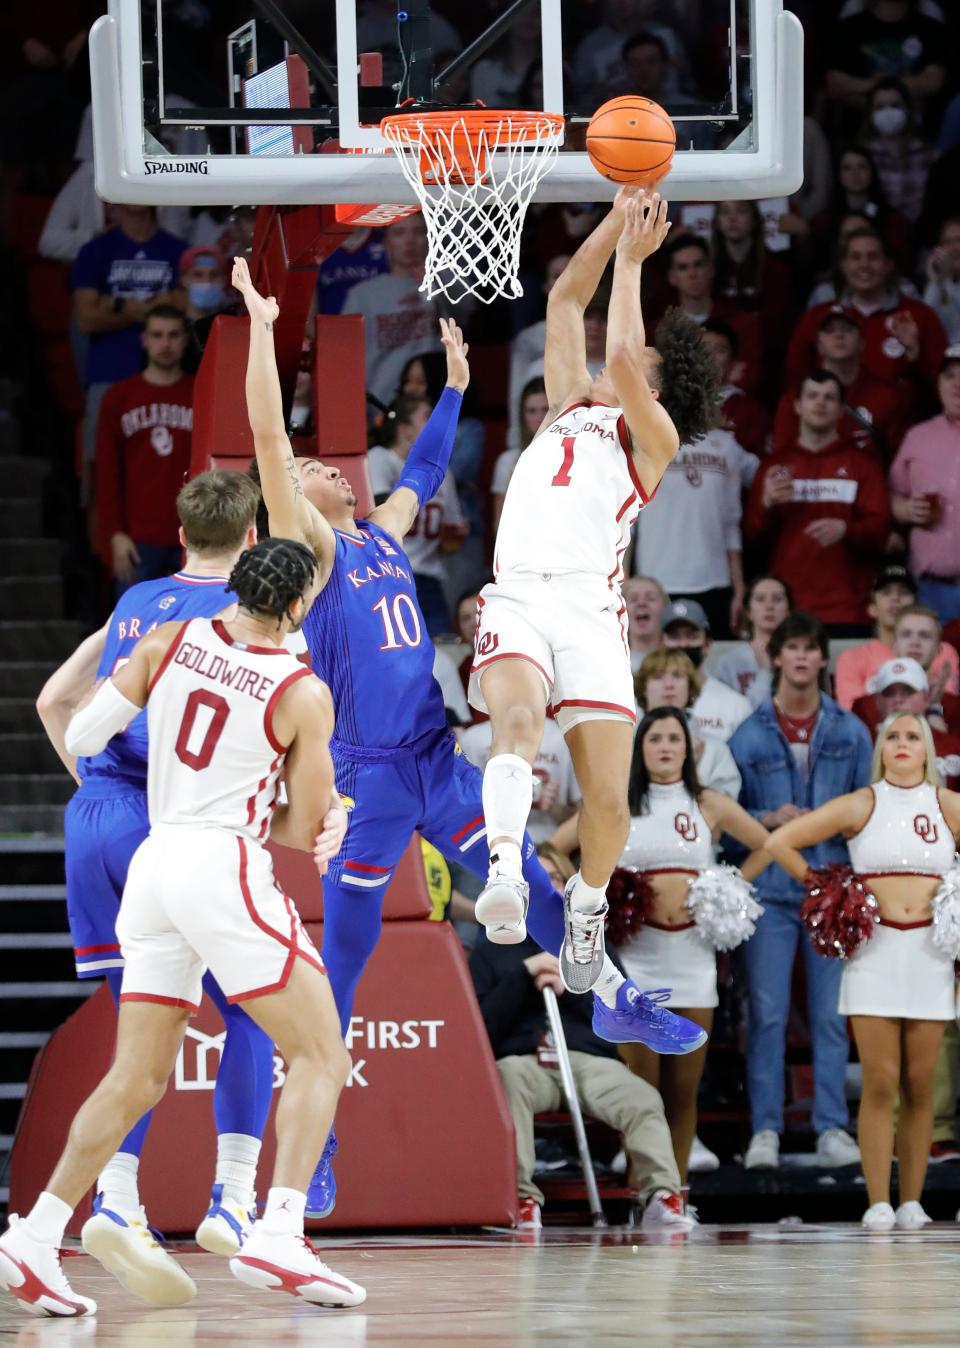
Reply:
x=106, y=823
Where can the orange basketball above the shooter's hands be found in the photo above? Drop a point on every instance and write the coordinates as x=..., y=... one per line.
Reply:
x=632, y=141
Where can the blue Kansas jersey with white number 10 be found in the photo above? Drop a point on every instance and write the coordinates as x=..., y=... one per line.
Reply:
x=369, y=642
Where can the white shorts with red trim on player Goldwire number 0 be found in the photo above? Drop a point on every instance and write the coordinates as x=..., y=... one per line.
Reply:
x=207, y=898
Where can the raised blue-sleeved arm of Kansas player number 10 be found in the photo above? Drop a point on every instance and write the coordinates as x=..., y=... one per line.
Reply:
x=429, y=456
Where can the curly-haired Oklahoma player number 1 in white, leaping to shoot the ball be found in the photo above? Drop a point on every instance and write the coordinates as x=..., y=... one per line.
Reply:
x=552, y=627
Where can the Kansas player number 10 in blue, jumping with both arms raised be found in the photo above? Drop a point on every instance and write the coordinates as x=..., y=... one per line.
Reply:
x=393, y=752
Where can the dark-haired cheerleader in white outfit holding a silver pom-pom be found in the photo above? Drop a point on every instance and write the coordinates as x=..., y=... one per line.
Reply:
x=672, y=830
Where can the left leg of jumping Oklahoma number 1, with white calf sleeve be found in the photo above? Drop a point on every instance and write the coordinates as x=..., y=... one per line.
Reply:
x=516, y=698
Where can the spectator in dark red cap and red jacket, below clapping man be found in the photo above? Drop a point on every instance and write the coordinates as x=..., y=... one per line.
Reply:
x=873, y=417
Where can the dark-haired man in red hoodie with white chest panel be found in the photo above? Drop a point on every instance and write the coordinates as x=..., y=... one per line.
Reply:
x=820, y=510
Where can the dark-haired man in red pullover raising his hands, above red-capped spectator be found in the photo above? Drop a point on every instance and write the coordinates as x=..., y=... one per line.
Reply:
x=904, y=342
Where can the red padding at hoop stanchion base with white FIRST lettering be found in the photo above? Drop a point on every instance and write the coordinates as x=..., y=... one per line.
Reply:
x=425, y=1133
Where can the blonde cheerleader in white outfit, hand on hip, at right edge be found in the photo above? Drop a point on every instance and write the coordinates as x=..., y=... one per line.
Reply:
x=897, y=987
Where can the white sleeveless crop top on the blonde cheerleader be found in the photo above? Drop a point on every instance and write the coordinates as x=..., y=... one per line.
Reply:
x=905, y=835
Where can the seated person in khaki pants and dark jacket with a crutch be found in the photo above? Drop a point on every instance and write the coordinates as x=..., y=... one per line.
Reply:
x=510, y=983
